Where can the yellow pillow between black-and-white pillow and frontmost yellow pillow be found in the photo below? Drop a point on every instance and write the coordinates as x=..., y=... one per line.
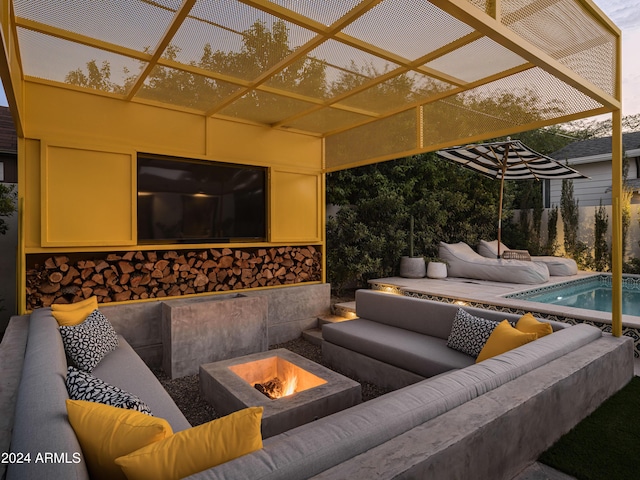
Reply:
x=106, y=433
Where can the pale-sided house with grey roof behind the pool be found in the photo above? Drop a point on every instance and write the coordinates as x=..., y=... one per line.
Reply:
x=593, y=159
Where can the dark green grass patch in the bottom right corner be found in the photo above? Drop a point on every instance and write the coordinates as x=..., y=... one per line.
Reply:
x=606, y=444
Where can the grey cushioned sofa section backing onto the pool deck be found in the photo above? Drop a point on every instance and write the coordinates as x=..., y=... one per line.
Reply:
x=398, y=340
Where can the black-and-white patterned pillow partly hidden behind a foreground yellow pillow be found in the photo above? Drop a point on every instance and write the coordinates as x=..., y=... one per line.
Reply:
x=84, y=386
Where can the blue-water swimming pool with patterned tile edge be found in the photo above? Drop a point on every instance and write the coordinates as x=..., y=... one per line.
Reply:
x=591, y=293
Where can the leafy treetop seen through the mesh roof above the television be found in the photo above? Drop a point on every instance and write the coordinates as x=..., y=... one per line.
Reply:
x=262, y=47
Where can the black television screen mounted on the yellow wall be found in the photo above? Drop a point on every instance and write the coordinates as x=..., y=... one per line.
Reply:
x=187, y=201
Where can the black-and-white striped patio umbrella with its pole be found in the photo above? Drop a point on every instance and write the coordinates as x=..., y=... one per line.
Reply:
x=508, y=160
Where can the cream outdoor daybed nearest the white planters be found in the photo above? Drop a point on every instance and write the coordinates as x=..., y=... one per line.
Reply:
x=464, y=262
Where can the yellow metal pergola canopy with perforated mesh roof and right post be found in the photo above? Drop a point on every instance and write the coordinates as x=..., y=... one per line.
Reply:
x=372, y=79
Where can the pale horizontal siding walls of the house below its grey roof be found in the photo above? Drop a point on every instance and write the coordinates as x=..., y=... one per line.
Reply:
x=590, y=191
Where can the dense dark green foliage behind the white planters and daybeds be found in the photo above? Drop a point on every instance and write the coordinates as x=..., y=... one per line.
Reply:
x=370, y=231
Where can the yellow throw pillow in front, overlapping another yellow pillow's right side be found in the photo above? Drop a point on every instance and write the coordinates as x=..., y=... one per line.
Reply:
x=197, y=449
